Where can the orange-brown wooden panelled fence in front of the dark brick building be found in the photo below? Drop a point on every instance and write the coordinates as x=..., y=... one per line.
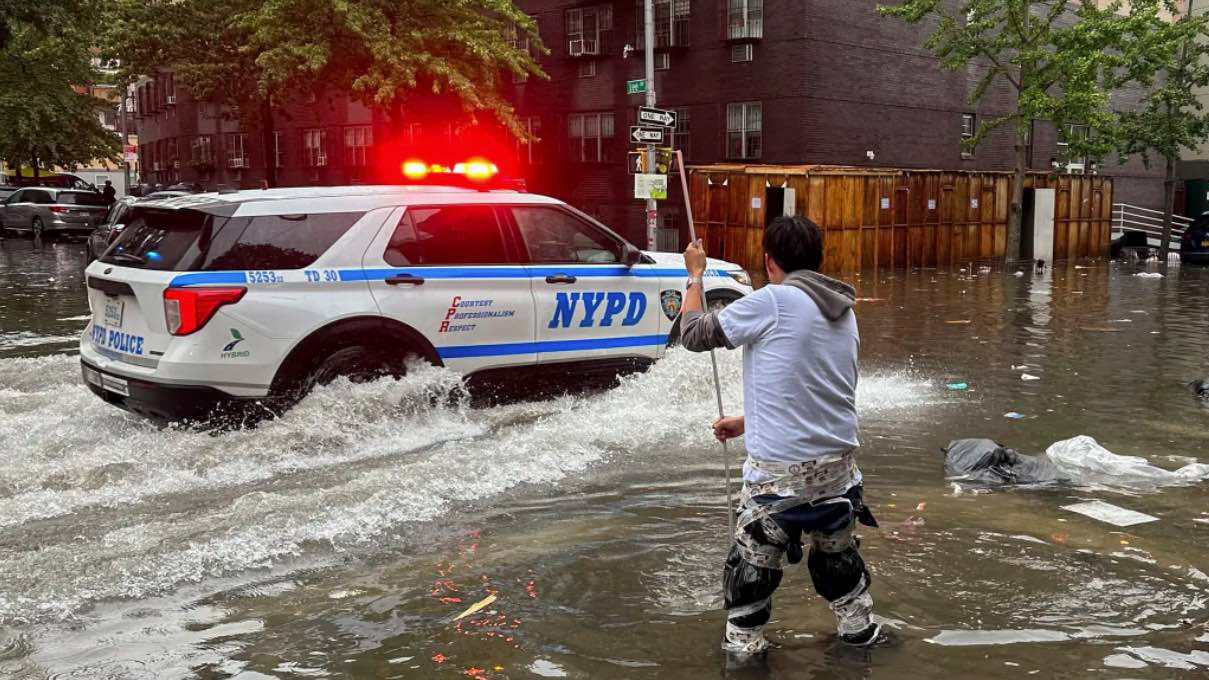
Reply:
x=886, y=218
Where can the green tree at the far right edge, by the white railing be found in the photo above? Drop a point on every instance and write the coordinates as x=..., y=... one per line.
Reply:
x=1171, y=60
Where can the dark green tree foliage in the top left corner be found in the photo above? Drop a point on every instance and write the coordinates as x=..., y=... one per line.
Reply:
x=48, y=117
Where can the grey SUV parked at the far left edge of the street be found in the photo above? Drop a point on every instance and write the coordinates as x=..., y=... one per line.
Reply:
x=48, y=210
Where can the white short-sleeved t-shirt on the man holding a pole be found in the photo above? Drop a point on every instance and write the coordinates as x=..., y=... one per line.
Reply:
x=800, y=377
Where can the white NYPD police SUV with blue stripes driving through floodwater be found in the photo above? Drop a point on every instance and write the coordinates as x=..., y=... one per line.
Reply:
x=218, y=301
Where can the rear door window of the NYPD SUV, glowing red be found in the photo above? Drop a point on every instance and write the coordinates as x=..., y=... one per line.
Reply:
x=447, y=235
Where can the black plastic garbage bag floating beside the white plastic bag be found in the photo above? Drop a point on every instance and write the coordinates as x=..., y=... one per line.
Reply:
x=986, y=462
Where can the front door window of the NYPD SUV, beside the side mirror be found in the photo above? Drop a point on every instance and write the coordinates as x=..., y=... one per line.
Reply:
x=553, y=237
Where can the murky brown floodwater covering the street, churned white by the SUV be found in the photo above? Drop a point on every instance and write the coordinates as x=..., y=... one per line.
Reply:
x=342, y=540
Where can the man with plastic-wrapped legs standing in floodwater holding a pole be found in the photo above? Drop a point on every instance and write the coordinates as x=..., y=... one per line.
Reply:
x=801, y=481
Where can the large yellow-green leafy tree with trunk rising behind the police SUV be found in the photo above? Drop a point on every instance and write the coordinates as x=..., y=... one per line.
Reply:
x=250, y=55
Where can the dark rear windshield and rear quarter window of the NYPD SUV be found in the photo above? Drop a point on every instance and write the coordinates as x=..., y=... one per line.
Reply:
x=199, y=240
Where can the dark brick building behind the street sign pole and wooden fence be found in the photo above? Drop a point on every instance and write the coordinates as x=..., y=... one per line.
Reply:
x=774, y=82
